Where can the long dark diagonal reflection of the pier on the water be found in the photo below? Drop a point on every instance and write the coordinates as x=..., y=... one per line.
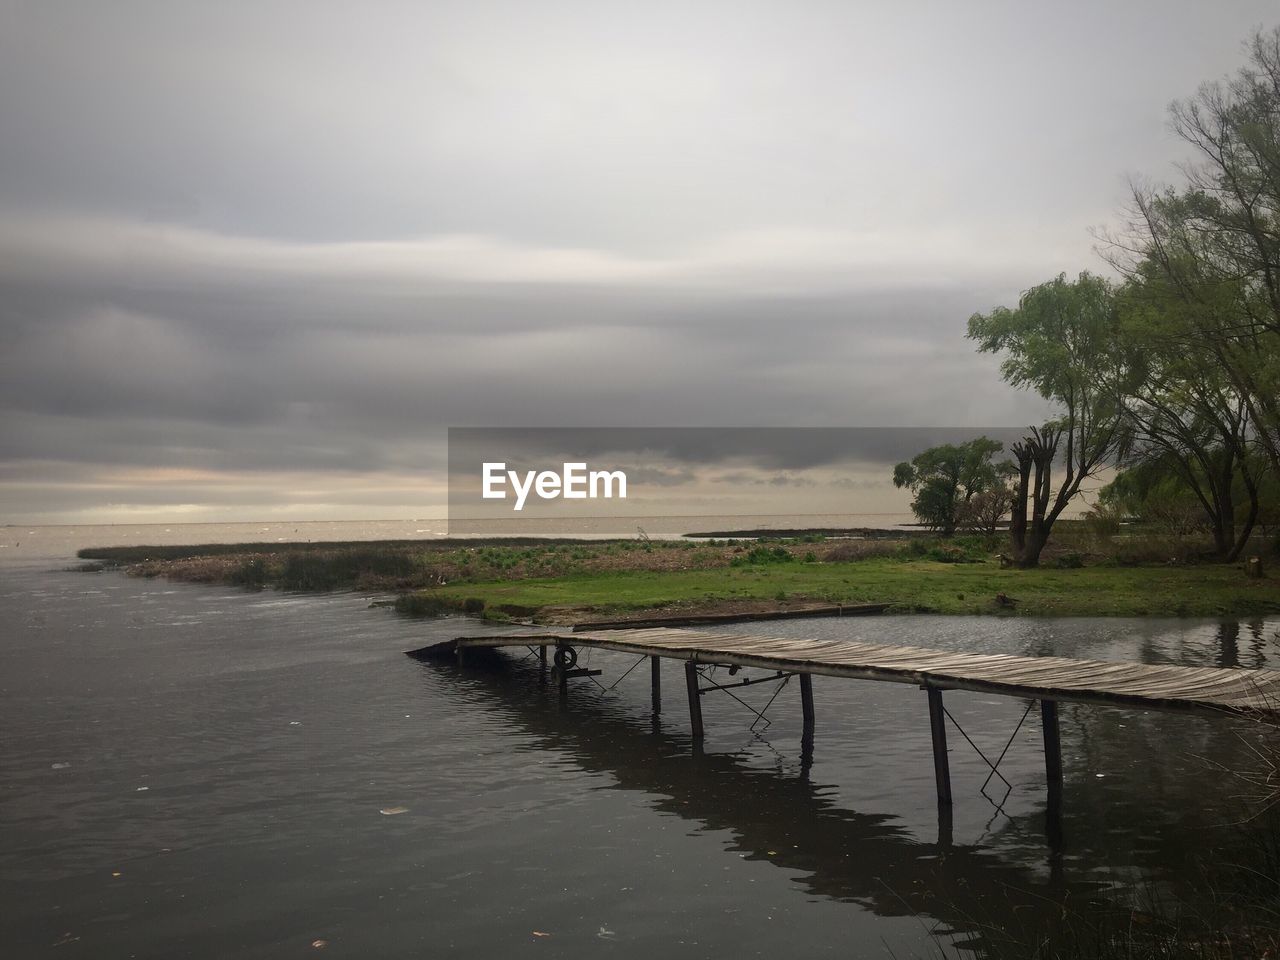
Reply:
x=783, y=817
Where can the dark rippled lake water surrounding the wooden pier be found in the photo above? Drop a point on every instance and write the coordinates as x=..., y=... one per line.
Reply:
x=203, y=772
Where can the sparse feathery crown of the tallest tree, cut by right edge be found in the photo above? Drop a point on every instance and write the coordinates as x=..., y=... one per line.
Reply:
x=1213, y=248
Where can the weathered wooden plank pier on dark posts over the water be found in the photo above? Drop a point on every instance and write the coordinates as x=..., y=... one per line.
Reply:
x=1050, y=680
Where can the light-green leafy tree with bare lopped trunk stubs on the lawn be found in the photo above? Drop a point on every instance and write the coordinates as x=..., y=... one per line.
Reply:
x=1063, y=342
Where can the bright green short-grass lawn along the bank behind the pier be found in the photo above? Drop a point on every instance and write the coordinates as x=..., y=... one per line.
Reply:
x=1208, y=591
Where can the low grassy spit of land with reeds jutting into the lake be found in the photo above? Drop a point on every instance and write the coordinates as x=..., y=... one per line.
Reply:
x=578, y=580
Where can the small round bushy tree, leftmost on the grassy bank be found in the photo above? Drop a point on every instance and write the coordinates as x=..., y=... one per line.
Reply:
x=947, y=478
